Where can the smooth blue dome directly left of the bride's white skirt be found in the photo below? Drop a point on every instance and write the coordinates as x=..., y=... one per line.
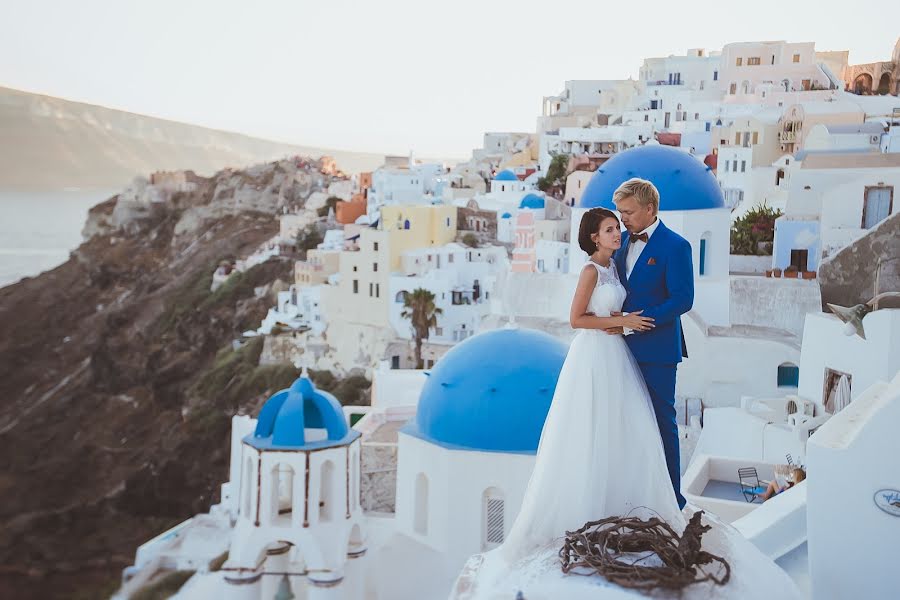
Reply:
x=491, y=392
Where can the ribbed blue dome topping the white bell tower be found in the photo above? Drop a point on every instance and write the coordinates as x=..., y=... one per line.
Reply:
x=285, y=417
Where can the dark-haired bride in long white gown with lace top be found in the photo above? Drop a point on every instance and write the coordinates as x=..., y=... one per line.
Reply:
x=600, y=452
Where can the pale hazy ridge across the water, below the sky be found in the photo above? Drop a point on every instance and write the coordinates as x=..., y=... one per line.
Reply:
x=51, y=143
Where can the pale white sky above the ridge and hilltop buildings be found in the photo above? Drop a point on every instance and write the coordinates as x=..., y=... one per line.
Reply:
x=393, y=76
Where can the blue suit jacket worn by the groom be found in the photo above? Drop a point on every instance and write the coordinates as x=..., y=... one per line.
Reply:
x=662, y=285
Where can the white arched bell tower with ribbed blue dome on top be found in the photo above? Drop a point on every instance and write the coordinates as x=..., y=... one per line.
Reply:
x=298, y=513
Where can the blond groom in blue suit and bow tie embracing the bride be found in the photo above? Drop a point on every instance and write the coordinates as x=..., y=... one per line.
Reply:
x=659, y=276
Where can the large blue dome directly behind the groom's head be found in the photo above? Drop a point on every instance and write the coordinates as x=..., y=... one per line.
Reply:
x=684, y=183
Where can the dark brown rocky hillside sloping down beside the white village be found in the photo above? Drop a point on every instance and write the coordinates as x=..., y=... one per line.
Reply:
x=118, y=374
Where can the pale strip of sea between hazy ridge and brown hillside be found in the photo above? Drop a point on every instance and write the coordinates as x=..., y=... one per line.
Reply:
x=38, y=230
